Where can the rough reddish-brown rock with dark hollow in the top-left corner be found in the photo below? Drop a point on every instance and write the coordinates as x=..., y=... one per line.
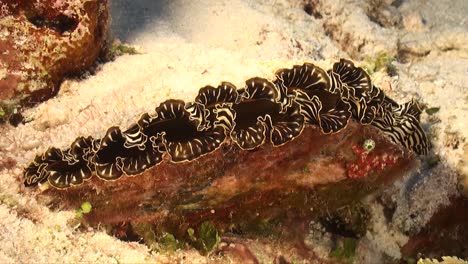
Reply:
x=43, y=41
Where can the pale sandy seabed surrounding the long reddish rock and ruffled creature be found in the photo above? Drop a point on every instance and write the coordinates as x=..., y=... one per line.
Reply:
x=186, y=45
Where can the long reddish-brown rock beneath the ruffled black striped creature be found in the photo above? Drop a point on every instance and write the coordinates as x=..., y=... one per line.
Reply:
x=305, y=178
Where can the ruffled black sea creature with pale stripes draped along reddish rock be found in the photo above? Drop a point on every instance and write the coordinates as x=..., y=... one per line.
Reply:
x=263, y=112
